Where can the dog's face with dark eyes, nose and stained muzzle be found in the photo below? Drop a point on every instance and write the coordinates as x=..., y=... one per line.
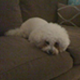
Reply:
x=50, y=48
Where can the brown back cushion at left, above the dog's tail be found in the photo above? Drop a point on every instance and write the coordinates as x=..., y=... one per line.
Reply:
x=10, y=15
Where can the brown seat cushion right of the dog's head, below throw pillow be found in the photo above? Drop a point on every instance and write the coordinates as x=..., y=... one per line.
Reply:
x=74, y=50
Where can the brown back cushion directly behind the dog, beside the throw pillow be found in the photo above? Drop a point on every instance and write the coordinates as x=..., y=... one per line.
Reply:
x=46, y=9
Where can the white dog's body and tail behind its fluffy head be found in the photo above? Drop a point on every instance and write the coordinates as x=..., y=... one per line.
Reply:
x=27, y=27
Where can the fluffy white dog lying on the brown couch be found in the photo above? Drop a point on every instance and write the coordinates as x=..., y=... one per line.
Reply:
x=49, y=37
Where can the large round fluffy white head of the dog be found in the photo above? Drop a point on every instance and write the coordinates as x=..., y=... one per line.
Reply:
x=50, y=38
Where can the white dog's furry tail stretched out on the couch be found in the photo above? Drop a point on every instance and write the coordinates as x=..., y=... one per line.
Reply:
x=14, y=32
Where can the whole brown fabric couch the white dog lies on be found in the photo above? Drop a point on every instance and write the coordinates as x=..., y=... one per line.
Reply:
x=19, y=60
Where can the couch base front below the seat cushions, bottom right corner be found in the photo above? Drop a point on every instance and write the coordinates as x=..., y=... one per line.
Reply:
x=72, y=74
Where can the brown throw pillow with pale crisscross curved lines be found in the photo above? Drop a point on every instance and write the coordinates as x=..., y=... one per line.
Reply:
x=69, y=15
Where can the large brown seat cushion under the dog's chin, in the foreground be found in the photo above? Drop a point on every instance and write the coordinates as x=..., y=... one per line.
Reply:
x=19, y=60
